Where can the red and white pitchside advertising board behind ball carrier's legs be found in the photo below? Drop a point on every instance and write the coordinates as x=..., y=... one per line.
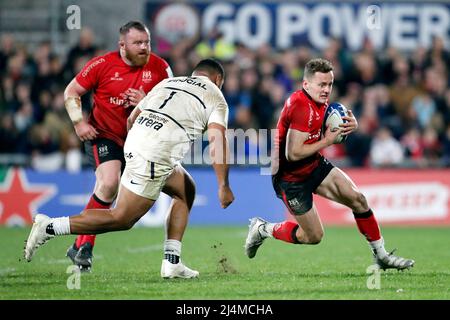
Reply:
x=399, y=196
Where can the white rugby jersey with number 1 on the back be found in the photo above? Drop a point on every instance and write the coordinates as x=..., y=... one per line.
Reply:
x=175, y=113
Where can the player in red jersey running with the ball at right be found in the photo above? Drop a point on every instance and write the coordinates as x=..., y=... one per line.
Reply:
x=299, y=170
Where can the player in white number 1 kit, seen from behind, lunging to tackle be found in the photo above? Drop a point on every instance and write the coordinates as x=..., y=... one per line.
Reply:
x=161, y=130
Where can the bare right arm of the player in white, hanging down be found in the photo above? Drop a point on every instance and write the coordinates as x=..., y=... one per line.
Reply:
x=218, y=151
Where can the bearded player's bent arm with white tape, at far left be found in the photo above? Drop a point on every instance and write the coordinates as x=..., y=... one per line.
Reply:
x=72, y=102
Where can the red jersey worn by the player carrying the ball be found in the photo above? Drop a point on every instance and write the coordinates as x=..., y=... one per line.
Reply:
x=301, y=113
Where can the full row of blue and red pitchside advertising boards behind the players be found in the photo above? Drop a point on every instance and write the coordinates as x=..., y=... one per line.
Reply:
x=397, y=196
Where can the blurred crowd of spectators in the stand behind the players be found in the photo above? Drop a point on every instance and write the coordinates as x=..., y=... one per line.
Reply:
x=401, y=99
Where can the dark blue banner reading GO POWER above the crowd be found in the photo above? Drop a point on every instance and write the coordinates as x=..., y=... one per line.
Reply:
x=285, y=24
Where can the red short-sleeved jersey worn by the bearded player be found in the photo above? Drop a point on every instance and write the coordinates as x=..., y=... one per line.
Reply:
x=109, y=77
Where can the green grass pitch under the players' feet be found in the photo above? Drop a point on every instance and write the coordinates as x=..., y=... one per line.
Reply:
x=126, y=266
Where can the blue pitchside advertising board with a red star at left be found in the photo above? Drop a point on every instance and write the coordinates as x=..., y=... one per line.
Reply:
x=23, y=193
